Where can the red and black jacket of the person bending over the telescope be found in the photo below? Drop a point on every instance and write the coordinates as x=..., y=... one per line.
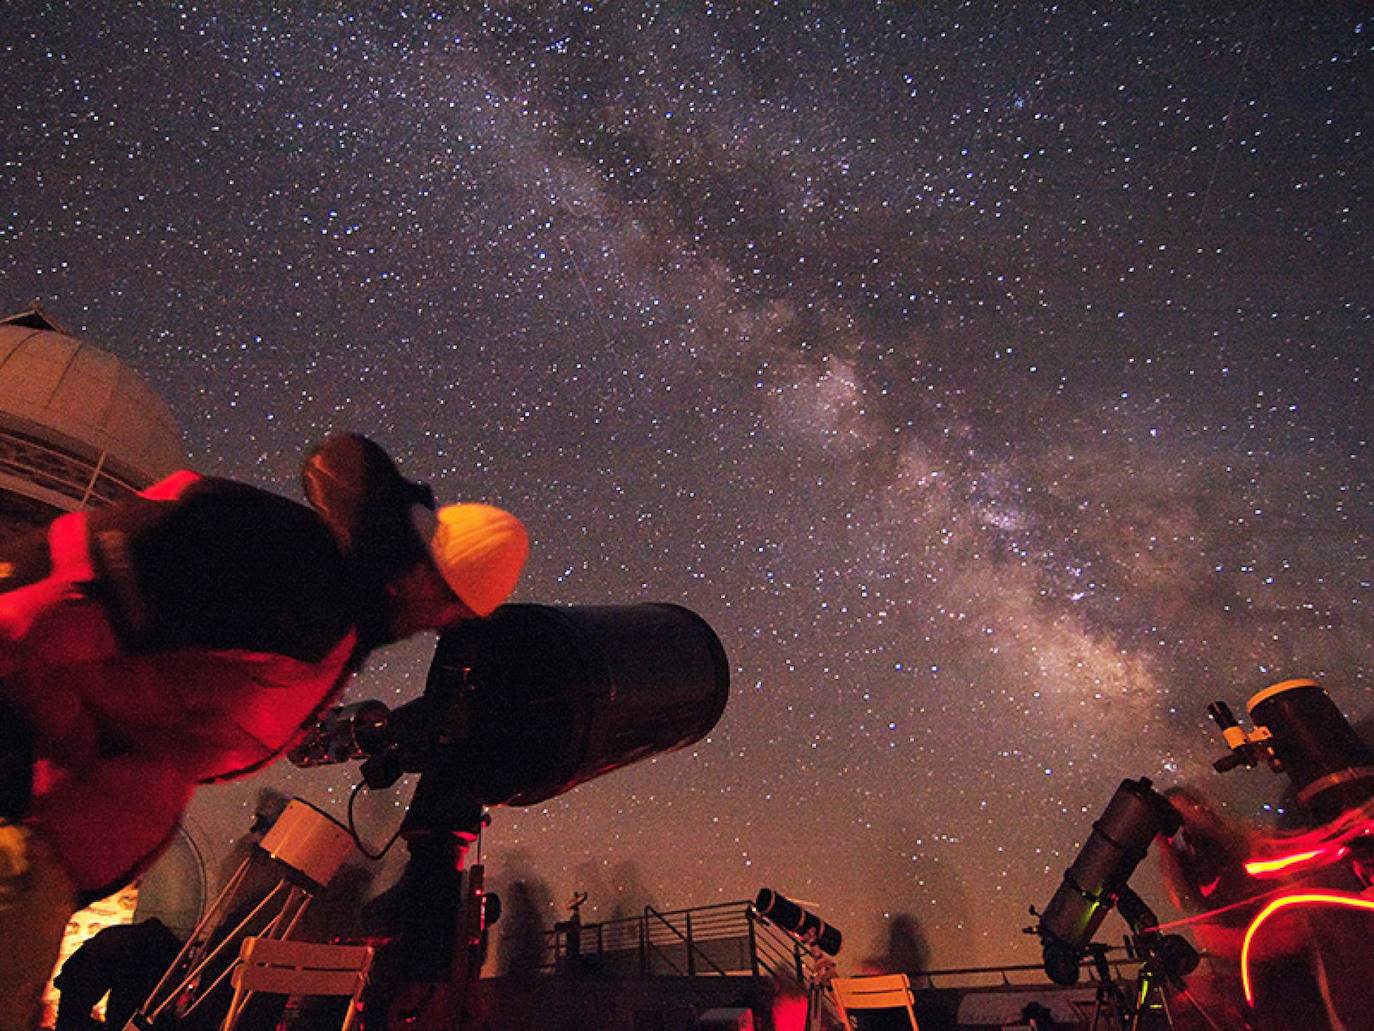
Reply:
x=175, y=641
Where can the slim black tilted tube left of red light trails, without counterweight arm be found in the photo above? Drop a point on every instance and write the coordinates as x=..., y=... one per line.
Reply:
x=1119, y=842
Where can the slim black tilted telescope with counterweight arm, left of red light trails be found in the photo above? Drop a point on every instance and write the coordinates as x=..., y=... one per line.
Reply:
x=1097, y=883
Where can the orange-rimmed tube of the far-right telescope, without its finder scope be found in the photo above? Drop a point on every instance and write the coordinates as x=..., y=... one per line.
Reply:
x=1331, y=766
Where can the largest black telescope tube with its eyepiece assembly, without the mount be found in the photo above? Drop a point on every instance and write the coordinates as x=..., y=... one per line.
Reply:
x=532, y=702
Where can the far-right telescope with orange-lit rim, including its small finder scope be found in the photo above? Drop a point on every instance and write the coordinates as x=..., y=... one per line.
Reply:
x=1300, y=732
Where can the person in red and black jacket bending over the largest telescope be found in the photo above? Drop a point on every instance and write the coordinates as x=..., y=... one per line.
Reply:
x=183, y=639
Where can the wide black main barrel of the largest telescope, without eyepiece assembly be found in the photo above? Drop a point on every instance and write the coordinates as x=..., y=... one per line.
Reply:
x=554, y=696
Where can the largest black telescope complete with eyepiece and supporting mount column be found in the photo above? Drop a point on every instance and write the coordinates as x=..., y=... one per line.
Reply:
x=519, y=709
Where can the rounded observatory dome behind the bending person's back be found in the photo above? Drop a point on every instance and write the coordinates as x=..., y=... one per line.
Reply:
x=78, y=427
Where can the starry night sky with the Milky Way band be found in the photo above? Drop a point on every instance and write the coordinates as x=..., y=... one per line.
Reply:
x=995, y=379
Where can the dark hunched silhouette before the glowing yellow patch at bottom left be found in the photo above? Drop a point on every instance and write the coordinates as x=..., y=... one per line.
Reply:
x=126, y=960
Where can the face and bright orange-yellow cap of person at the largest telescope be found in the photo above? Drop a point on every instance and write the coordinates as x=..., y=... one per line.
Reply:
x=475, y=559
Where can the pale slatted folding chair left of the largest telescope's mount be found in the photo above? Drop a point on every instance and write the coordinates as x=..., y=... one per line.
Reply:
x=299, y=968
